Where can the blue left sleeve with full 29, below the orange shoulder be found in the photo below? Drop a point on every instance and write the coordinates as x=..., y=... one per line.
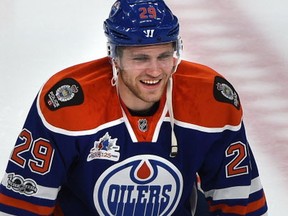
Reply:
x=36, y=169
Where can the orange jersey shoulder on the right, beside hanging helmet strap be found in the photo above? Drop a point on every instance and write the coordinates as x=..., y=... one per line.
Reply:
x=204, y=97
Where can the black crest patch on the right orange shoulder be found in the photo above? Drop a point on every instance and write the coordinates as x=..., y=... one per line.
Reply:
x=224, y=92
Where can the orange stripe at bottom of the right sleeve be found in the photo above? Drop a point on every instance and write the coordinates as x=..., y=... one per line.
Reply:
x=241, y=210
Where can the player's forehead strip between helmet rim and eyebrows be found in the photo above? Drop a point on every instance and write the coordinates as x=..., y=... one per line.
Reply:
x=148, y=49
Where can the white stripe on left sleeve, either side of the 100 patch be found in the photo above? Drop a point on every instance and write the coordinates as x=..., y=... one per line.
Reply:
x=42, y=192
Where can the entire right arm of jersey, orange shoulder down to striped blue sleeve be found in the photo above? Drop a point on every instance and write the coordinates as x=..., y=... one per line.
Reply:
x=228, y=173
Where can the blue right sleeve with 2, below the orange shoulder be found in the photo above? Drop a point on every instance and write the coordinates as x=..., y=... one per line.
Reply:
x=230, y=178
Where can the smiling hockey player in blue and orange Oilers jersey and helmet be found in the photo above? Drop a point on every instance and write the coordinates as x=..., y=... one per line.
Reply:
x=130, y=133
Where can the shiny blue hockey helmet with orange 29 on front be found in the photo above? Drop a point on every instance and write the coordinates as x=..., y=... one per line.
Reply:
x=140, y=22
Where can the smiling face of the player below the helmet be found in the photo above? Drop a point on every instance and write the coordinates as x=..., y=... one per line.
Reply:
x=144, y=73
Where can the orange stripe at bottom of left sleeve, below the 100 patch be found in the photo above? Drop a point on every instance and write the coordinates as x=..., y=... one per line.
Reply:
x=20, y=204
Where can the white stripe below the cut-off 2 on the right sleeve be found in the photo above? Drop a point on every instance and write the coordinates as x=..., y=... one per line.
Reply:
x=237, y=192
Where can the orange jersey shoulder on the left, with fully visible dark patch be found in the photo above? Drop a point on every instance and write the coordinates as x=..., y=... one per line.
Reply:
x=76, y=98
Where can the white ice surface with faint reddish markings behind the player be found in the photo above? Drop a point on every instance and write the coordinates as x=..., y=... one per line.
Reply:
x=244, y=40
